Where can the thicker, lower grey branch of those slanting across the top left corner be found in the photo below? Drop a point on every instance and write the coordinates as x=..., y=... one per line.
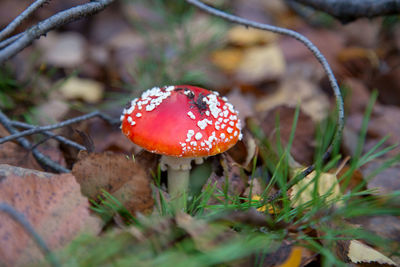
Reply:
x=53, y=22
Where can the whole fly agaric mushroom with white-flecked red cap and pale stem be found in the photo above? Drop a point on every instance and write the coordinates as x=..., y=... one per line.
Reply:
x=183, y=123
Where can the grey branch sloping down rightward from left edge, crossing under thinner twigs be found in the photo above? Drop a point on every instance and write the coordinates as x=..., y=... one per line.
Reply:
x=44, y=161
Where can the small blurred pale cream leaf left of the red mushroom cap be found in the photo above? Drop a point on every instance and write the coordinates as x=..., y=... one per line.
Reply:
x=77, y=88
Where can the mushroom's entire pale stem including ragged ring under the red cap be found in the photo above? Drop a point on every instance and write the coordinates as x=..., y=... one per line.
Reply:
x=178, y=178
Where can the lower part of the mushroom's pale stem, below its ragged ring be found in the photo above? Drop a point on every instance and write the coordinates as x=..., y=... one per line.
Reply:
x=178, y=185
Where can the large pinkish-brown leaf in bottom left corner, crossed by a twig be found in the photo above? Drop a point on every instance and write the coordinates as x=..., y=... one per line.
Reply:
x=53, y=204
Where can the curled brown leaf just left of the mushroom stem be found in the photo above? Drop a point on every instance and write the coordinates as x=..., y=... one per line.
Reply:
x=118, y=175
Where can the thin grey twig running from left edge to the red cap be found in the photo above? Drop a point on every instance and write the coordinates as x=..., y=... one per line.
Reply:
x=40, y=129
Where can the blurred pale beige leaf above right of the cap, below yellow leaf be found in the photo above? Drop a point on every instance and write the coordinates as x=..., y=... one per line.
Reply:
x=265, y=63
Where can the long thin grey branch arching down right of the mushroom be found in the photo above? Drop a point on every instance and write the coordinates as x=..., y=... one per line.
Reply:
x=316, y=53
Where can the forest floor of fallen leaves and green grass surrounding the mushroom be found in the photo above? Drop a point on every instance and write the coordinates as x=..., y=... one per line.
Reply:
x=113, y=207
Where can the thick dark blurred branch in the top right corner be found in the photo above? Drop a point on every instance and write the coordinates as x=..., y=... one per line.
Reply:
x=347, y=11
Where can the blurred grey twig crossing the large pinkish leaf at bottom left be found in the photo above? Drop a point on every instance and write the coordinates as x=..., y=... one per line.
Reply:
x=20, y=218
